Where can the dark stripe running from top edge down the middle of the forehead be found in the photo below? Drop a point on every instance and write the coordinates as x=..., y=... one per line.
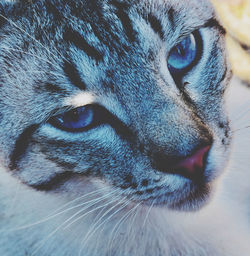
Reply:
x=121, y=13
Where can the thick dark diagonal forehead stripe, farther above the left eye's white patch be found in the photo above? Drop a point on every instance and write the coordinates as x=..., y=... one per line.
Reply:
x=77, y=39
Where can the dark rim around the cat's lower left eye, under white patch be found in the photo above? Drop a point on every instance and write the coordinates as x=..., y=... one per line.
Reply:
x=96, y=119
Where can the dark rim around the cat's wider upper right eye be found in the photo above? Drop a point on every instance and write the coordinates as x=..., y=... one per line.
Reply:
x=179, y=73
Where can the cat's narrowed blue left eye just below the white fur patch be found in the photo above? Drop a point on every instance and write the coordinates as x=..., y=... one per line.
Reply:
x=75, y=120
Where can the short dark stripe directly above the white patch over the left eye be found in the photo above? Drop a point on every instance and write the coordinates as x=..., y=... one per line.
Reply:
x=70, y=70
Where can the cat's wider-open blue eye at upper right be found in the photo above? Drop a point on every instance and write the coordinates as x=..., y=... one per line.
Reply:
x=183, y=55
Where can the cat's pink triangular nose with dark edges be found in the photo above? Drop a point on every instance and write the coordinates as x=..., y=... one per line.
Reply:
x=193, y=166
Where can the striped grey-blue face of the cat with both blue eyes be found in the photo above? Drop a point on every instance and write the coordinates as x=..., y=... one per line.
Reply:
x=126, y=92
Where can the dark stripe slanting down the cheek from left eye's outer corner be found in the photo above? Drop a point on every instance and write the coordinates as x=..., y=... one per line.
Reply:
x=21, y=145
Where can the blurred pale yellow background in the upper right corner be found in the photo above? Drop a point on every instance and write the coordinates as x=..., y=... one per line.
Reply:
x=235, y=16
